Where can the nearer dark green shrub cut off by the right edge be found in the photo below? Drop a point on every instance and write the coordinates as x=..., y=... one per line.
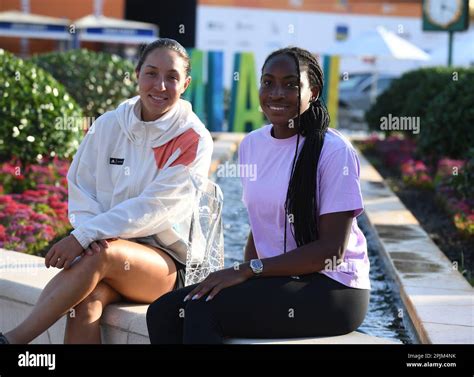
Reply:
x=447, y=129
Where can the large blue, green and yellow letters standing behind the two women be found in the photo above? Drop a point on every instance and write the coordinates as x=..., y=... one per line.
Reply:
x=244, y=109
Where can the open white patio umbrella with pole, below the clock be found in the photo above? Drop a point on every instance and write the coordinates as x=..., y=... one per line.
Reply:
x=378, y=43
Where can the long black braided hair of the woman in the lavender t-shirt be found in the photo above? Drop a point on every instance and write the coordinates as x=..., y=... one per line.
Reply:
x=300, y=204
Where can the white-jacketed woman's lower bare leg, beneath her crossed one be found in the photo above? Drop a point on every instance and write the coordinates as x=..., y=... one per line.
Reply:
x=83, y=321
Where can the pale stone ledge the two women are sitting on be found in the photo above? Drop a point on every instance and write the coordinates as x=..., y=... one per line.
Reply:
x=122, y=323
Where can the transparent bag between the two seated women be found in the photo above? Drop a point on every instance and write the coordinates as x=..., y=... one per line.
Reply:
x=206, y=238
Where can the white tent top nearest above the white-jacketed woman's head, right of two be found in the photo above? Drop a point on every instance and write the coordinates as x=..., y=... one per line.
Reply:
x=114, y=30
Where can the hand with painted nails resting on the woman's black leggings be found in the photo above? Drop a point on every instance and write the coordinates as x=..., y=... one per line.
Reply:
x=219, y=280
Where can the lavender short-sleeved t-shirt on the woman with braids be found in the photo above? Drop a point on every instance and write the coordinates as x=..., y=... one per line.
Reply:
x=269, y=161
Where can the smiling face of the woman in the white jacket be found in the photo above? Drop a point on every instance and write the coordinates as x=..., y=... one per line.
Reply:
x=161, y=81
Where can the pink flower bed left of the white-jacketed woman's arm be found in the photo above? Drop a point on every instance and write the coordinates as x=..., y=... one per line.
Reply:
x=33, y=205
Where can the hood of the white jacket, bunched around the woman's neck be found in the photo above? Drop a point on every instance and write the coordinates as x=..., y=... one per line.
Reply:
x=172, y=124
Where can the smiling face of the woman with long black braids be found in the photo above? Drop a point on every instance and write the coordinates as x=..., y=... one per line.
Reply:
x=279, y=90
